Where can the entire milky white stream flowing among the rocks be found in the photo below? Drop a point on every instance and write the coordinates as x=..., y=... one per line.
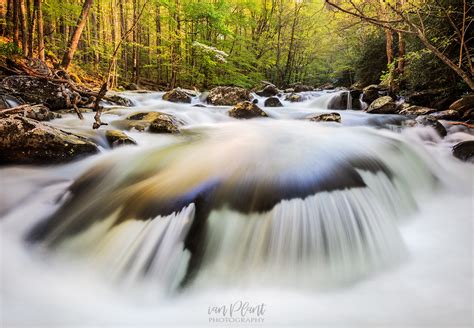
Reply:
x=319, y=224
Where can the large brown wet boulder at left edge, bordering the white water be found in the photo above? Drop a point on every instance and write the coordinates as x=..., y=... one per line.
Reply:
x=27, y=141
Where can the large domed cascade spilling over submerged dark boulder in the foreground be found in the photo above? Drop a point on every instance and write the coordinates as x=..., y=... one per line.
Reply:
x=323, y=215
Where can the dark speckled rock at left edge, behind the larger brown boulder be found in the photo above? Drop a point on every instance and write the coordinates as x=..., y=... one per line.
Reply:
x=38, y=90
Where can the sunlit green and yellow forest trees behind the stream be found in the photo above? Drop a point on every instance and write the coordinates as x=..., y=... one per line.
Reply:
x=190, y=43
